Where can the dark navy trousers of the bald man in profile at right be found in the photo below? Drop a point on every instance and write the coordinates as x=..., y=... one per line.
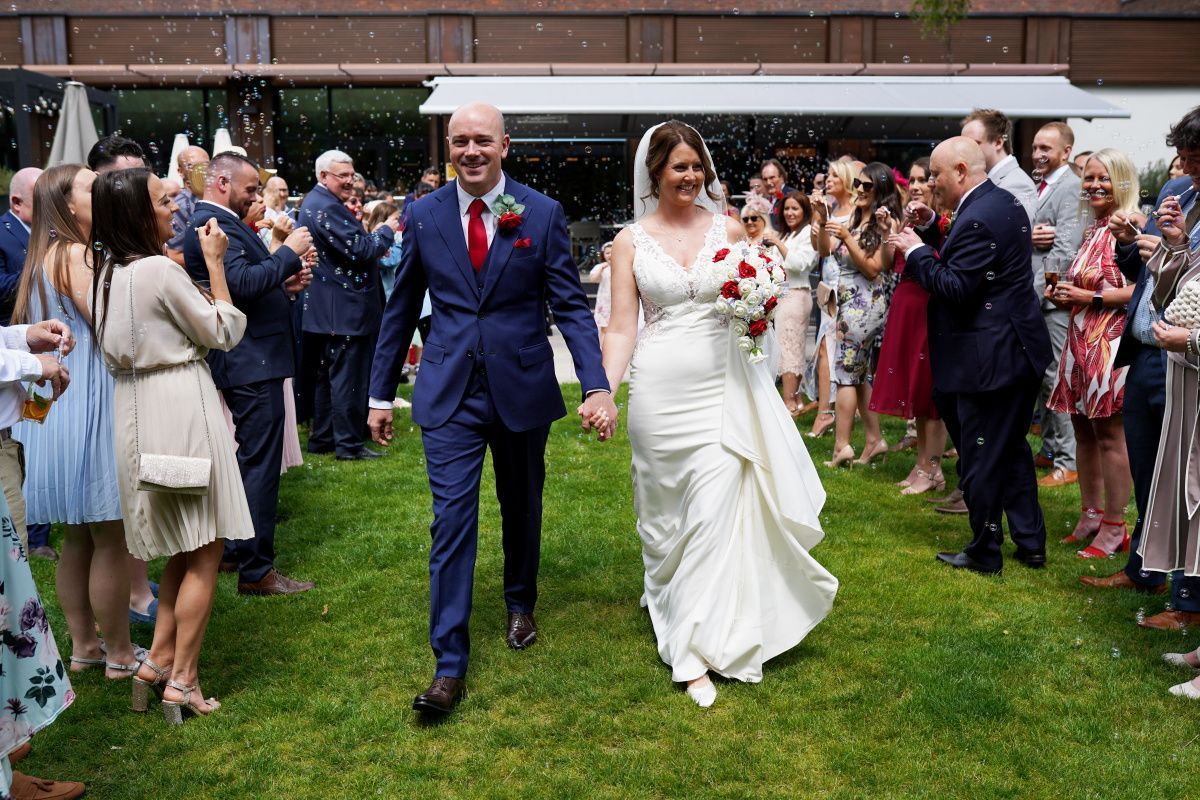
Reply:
x=997, y=467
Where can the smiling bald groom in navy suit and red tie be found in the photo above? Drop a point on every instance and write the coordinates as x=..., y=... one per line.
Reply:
x=491, y=252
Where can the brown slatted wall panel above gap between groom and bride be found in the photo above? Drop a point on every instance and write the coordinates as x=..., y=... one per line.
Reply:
x=550, y=39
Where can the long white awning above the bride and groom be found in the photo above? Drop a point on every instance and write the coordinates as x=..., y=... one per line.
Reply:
x=938, y=97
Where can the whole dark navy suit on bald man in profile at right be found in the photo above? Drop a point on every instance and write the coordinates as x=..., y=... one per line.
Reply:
x=989, y=348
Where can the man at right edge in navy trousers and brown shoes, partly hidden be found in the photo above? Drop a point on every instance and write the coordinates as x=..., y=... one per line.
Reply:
x=1145, y=402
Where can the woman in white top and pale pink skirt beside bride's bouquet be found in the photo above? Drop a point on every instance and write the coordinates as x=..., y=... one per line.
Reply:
x=795, y=310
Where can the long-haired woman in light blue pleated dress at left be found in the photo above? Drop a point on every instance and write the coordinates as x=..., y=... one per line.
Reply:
x=70, y=460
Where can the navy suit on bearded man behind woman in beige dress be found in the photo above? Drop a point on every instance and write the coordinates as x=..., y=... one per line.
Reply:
x=251, y=376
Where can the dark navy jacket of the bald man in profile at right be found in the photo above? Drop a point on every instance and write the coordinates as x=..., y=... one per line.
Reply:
x=986, y=327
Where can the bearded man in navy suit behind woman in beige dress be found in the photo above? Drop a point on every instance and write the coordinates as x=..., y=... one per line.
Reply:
x=251, y=375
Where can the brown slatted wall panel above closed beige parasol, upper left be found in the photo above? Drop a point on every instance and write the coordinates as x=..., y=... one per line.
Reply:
x=160, y=40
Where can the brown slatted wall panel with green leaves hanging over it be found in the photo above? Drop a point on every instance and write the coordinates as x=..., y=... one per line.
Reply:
x=973, y=41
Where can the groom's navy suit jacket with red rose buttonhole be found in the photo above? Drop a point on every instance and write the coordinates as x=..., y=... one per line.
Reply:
x=493, y=320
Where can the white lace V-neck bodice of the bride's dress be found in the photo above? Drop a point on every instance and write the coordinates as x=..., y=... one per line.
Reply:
x=668, y=288
